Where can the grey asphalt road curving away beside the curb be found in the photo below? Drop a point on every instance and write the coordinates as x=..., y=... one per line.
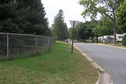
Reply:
x=112, y=59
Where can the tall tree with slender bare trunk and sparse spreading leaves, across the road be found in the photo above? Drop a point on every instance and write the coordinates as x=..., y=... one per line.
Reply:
x=104, y=7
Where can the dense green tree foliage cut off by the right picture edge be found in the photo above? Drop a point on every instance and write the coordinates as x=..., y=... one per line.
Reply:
x=121, y=17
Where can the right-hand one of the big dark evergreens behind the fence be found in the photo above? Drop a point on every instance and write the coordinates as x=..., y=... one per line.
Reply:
x=37, y=23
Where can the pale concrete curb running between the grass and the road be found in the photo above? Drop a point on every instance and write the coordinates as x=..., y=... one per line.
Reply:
x=104, y=76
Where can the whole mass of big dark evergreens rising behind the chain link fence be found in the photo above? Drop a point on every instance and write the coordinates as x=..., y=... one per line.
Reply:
x=23, y=16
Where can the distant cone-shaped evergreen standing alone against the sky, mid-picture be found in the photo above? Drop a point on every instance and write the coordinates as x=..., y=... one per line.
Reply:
x=60, y=30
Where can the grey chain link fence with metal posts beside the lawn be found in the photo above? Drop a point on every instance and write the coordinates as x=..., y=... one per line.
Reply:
x=13, y=46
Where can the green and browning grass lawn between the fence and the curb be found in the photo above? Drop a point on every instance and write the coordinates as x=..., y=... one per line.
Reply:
x=58, y=66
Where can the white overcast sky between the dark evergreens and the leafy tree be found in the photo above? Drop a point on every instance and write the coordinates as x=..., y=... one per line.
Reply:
x=72, y=10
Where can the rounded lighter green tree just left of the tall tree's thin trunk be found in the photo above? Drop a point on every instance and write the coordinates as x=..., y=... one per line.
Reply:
x=104, y=27
